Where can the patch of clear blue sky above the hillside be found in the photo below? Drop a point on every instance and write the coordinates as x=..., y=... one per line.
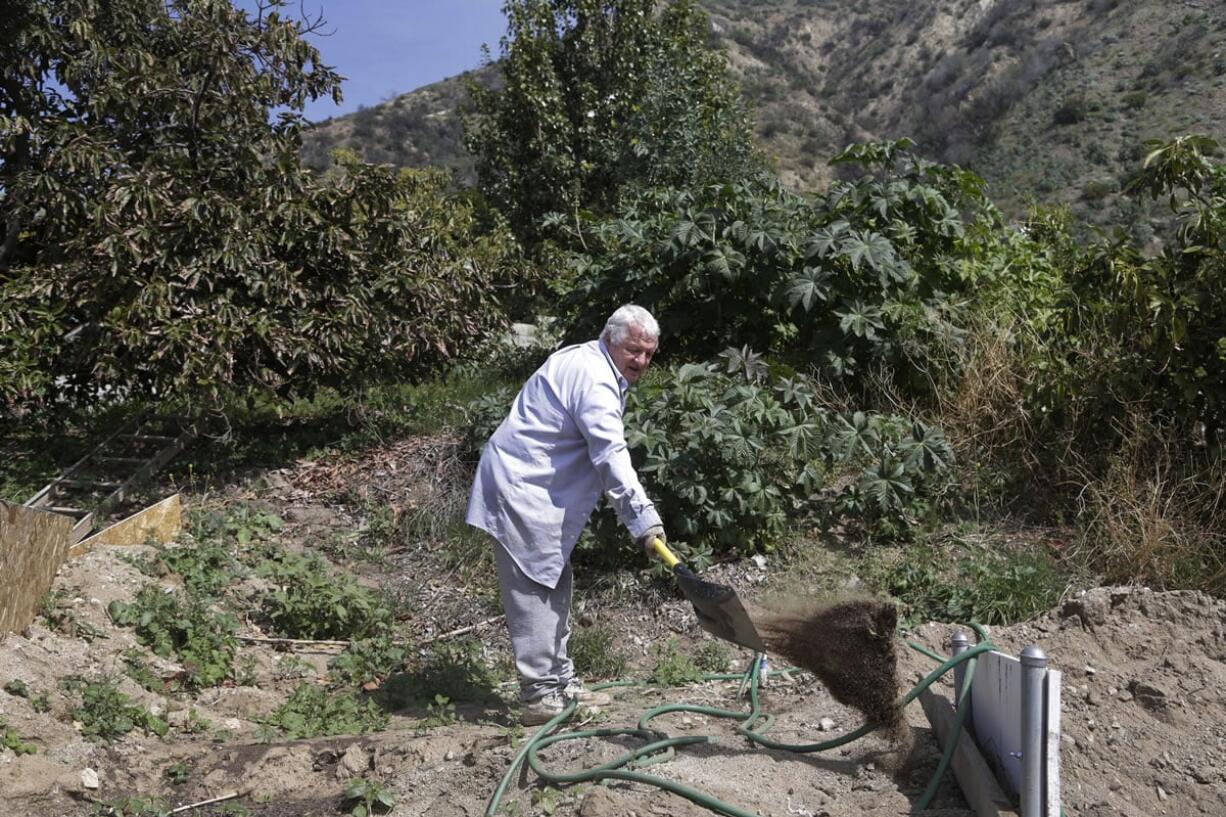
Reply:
x=387, y=47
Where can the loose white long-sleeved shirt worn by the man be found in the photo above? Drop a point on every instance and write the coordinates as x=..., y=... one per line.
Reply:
x=560, y=448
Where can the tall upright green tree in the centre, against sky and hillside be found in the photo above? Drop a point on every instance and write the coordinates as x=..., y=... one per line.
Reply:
x=600, y=95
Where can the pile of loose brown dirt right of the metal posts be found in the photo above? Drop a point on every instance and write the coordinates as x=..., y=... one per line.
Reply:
x=1144, y=699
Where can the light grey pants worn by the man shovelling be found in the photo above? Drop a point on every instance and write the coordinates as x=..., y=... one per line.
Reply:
x=539, y=620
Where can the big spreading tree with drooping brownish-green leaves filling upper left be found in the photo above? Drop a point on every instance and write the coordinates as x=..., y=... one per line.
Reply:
x=161, y=236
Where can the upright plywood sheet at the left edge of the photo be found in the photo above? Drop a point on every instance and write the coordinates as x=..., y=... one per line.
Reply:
x=34, y=545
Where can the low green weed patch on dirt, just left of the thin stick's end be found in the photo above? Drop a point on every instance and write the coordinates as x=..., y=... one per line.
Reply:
x=204, y=641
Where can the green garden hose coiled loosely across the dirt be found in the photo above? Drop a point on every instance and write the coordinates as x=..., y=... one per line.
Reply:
x=659, y=748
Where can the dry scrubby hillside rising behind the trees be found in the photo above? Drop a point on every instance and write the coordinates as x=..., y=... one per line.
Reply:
x=1049, y=101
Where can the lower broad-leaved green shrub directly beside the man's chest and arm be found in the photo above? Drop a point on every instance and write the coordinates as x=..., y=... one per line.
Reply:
x=731, y=458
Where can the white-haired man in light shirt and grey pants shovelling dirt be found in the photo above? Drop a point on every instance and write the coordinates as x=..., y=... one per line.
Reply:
x=541, y=475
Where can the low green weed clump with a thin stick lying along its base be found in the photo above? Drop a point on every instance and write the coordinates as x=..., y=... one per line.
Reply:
x=312, y=602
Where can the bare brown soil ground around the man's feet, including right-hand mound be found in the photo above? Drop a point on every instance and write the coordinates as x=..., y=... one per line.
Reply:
x=1144, y=700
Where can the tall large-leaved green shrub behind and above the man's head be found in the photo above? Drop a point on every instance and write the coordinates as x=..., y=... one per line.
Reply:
x=854, y=280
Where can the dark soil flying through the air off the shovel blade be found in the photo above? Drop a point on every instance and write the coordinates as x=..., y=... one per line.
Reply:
x=849, y=645
